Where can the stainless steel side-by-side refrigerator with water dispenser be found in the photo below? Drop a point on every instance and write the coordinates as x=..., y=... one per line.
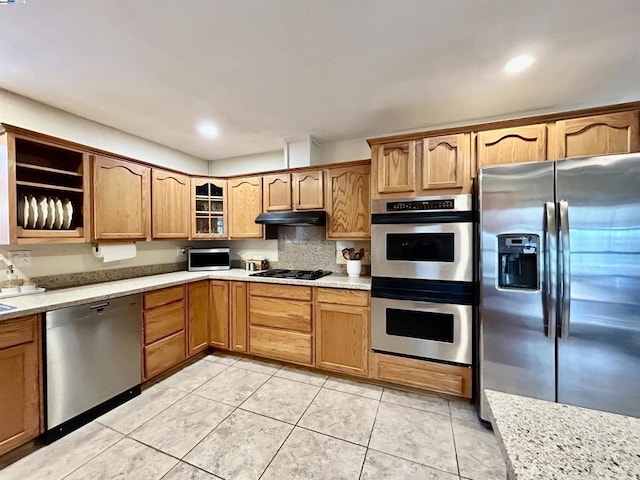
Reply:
x=560, y=282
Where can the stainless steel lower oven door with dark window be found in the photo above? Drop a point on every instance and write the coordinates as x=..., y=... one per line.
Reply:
x=436, y=331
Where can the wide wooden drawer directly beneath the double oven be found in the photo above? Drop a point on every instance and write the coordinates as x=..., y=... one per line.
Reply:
x=436, y=377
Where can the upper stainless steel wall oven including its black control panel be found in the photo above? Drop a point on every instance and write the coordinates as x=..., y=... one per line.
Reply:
x=428, y=237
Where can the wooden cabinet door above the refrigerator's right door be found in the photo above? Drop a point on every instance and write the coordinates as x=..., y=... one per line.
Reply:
x=598, y=135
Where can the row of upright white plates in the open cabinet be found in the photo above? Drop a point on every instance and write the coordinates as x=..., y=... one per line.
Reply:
x=45, y=213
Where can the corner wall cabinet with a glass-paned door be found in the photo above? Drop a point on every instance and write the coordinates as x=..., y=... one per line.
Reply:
x=208, y=208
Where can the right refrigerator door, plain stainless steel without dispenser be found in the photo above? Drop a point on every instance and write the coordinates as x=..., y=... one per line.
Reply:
x=599, y=355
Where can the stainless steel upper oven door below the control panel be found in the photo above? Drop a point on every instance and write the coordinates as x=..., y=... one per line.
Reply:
x=438, y=251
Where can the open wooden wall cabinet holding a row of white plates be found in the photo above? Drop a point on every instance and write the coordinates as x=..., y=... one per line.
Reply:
x=44, y=190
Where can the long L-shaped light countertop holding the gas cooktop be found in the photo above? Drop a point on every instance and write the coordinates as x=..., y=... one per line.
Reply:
x=55, y=299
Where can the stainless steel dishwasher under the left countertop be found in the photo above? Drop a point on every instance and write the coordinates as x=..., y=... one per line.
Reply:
x=93, y=361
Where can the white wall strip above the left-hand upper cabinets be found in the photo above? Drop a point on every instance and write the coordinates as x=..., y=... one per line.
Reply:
x=26, y=113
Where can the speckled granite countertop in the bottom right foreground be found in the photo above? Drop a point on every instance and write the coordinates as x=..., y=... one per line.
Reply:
x=543, y=440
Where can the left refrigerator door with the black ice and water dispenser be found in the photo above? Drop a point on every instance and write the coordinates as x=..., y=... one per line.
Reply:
x=516, y=355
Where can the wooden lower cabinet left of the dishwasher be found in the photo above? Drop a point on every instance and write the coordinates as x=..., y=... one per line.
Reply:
x=20, y=381
